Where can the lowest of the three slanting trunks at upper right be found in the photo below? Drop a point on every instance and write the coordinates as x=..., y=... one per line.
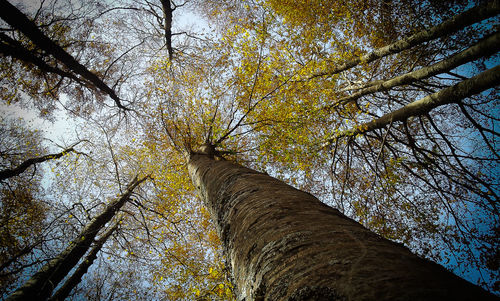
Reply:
x=477, y=84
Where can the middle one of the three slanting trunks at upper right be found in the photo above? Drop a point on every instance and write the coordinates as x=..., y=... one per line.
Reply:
x=484, y=48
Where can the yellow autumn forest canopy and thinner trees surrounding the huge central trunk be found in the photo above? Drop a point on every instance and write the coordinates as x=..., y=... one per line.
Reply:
x=385, y=110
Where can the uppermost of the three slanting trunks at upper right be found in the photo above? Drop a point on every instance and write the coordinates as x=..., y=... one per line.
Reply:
x=469, y=17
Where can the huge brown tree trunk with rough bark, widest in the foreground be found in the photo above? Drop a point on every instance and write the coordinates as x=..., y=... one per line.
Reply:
x=284, y=244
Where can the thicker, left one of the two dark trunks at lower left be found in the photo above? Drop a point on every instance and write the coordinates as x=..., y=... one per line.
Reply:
x=40, y=286
